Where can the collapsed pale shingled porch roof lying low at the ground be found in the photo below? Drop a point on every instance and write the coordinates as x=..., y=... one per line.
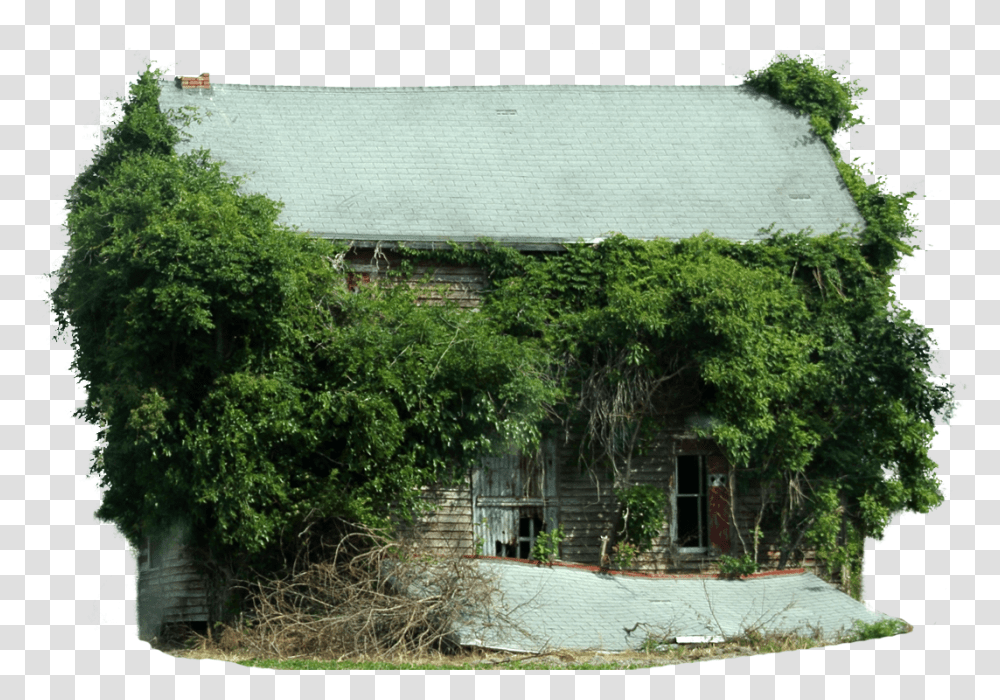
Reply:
x=565, y=608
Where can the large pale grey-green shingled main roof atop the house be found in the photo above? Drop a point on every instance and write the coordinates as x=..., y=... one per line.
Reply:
x=524, y=164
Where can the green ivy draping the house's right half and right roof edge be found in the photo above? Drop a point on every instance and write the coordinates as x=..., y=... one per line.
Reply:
x=814, y=376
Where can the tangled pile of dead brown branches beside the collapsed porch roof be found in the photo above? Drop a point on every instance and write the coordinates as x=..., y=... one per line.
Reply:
x=370, y=596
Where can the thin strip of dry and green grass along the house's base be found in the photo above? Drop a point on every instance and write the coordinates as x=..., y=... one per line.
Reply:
x=655, y=652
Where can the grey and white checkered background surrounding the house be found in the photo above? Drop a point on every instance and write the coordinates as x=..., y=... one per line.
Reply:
x=67, y=583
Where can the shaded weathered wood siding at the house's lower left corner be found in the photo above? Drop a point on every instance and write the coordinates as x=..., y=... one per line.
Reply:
x=169, y=588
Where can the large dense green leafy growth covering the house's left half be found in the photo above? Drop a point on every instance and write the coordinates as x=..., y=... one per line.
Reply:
x=241, y=388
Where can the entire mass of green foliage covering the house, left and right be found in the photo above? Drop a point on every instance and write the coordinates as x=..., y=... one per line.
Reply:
x=242, y=388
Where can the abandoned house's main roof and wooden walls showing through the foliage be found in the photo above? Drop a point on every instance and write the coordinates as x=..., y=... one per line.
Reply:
x=533, y=167
